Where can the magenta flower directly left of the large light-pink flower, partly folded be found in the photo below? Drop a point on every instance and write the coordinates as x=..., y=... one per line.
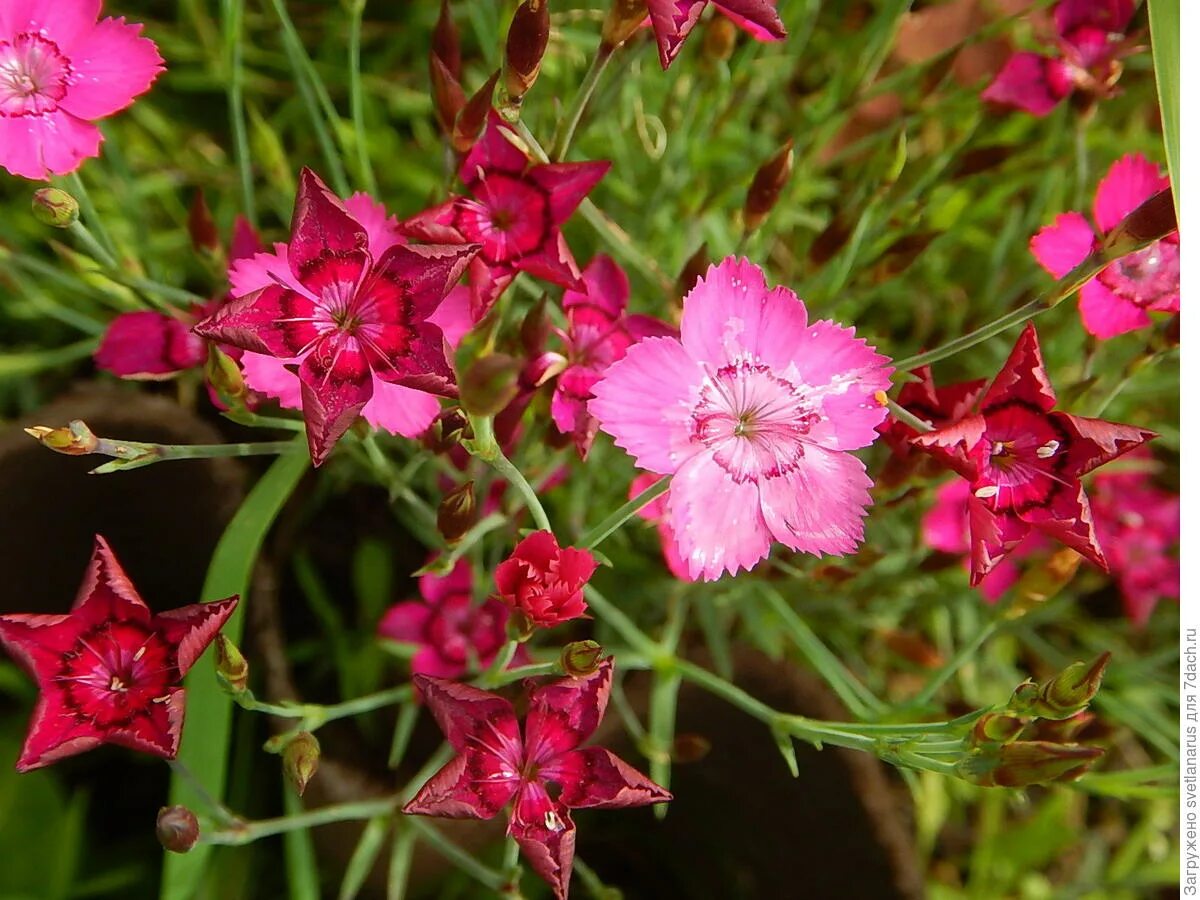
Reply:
x=598, y=334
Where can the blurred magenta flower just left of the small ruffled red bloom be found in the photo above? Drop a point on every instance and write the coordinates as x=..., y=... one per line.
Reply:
x=452, y=631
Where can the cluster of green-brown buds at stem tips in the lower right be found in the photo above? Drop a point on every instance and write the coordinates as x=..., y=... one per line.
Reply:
x=1011, y=748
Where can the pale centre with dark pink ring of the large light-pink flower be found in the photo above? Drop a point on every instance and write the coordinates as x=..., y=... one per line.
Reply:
x=754, y=422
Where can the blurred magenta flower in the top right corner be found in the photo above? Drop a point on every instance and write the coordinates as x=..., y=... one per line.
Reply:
x=1089, y=44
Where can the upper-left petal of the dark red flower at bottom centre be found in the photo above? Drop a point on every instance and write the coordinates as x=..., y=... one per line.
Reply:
x=471, y=719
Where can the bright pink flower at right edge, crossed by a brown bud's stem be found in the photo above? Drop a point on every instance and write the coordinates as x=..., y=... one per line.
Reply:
x=1119, y=298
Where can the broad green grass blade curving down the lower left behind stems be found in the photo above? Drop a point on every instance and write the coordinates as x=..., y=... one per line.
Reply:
x=209, y=711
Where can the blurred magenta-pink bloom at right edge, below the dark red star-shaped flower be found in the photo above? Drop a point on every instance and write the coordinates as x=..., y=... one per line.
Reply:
x=1138, y=525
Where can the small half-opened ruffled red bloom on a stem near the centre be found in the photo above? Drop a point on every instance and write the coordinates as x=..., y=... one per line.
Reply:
x=544, y=581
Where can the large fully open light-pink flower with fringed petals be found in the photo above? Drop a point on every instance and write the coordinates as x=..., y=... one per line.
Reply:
x=753, y=412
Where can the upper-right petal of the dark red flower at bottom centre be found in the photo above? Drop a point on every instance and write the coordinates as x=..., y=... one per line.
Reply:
x=565, y=713
